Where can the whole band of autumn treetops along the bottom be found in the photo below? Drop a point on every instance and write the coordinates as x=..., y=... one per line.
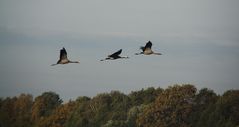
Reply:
x=176, y=106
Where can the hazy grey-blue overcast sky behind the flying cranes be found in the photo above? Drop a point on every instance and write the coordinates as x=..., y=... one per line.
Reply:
x=198, y=39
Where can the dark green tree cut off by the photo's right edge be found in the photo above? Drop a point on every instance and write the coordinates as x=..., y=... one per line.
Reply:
x=223, y=113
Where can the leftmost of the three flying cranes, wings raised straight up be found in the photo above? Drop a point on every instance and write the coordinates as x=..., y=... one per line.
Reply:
x=63, y=58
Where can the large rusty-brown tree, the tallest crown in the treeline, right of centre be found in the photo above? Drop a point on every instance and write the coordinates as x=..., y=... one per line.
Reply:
x=171, y=108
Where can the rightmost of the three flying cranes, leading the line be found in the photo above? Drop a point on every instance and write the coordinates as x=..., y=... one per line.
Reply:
x=146, y=50
